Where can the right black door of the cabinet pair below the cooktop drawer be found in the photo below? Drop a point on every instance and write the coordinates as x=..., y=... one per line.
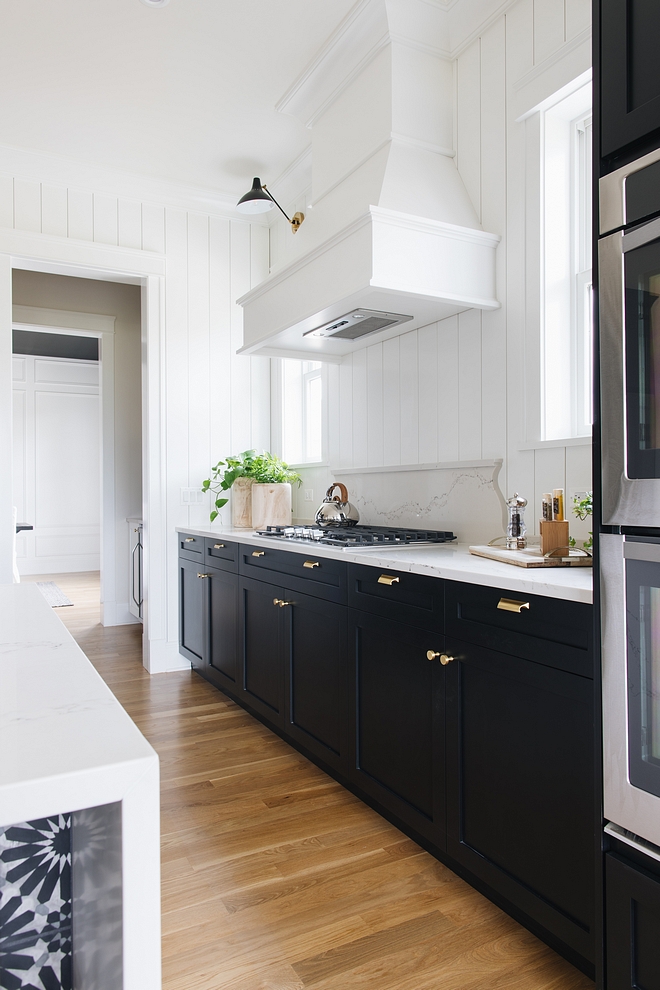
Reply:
x=316, y=677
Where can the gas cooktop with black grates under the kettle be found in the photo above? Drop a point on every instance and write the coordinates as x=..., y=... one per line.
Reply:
x=358, y=537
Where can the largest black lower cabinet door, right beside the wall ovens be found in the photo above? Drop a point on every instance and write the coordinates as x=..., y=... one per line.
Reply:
x=520, y=789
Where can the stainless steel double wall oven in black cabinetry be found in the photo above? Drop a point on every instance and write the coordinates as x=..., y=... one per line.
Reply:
x=629, y=297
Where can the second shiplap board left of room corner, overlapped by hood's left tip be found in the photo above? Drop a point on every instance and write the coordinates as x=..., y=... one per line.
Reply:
x=241, y=420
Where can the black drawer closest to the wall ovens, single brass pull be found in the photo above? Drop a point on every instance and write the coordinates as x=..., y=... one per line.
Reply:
x=547, y=630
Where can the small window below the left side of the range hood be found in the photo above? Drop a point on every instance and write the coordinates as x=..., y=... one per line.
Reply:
x=301, y=388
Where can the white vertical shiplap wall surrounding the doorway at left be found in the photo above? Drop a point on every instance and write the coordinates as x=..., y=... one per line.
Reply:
x=215, y=401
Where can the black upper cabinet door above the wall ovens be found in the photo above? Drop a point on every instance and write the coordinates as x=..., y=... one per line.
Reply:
x=629, y=78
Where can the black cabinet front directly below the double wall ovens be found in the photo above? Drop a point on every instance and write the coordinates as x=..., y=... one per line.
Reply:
x=632, y=925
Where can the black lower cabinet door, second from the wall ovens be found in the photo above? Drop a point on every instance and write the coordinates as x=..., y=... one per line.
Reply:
x=396, y=709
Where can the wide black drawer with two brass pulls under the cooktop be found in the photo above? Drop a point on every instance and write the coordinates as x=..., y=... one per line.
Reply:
x=303, y=572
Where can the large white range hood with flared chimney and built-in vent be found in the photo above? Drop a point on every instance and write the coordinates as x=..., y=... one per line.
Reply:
x=392, y=228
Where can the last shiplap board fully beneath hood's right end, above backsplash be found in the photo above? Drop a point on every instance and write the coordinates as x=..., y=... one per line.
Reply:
x=469, y=385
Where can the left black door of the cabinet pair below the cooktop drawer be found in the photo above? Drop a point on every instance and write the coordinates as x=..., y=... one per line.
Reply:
x=260, y=633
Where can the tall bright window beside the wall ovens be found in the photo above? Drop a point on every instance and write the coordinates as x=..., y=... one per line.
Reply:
x=567, y=282
